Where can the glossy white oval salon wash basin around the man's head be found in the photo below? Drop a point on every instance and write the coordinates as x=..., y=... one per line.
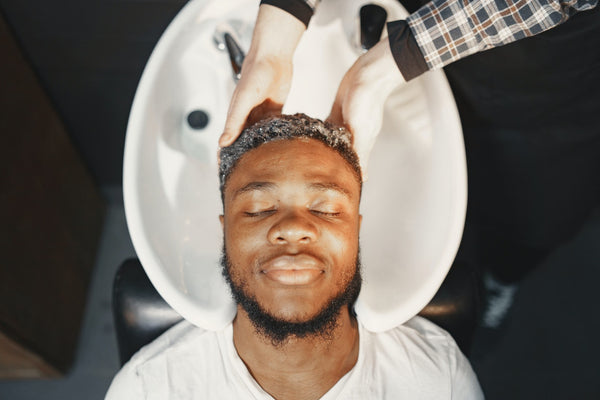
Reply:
x=413, y=204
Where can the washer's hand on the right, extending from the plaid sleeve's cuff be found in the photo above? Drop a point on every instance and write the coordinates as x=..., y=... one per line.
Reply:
x=361, y=97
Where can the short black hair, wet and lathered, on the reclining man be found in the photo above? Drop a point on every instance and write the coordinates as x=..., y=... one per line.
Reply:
x=287, y=127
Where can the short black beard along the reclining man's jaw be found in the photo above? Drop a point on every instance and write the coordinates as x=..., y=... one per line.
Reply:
x=277, y=329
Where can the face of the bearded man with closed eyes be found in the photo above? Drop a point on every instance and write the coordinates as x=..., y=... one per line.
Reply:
x=291, y=224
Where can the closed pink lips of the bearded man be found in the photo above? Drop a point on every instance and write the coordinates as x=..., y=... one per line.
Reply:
x=293, y=270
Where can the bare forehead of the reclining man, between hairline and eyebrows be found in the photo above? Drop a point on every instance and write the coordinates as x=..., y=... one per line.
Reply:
x=299, y=160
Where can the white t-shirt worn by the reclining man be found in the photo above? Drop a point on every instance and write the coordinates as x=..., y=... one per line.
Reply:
x=417, y=360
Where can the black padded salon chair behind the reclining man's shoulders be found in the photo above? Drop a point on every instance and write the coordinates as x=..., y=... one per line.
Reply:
x=141, y=315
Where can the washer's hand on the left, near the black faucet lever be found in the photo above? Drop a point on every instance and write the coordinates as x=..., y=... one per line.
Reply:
x=266, y=73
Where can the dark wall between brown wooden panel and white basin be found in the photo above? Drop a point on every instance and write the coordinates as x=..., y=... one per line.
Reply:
x=89, y=56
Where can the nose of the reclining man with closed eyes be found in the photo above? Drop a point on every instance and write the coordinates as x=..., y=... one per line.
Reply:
x=293, y=228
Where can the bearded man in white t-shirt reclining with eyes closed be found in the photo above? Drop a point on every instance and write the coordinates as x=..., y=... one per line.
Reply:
x=291, y=190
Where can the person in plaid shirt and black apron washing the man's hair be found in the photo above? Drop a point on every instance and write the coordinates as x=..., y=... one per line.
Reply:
x=527, y=103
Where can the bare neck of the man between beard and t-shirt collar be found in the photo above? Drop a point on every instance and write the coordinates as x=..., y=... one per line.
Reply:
x=299, y=368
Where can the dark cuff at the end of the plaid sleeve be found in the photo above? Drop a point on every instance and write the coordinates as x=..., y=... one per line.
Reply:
x=406, y=51
